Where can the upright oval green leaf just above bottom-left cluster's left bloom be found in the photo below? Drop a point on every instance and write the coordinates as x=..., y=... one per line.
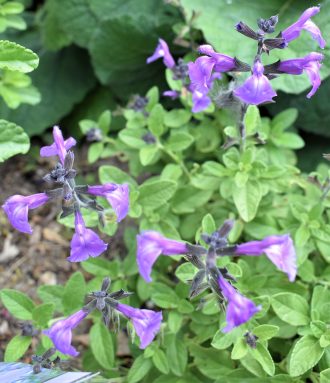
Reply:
x=74, y=293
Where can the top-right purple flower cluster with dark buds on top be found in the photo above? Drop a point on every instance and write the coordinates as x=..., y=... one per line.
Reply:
x=257, y=88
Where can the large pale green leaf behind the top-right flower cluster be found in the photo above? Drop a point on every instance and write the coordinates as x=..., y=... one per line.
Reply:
x=217, y=20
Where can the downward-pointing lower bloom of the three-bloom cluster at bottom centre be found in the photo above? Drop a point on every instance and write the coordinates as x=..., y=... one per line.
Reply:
x=239, y=309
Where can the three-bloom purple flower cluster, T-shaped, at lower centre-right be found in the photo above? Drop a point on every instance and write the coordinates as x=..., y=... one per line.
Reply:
x=278, y=248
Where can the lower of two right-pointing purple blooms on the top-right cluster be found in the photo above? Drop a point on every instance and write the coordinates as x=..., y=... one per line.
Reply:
x=311, y=64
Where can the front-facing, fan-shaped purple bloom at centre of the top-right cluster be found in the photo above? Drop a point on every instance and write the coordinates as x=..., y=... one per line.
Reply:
x=256, y=89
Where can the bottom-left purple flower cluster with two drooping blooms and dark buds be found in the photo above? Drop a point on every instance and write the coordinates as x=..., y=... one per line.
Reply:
x=145, y=322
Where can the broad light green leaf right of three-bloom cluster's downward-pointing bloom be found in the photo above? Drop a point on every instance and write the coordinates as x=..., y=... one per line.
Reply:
x=291, y=308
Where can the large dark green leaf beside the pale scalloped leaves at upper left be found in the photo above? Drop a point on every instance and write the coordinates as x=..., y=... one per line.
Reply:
x=63, y=79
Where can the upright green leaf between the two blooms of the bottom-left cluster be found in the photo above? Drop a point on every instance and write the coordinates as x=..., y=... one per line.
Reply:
x=102, y=345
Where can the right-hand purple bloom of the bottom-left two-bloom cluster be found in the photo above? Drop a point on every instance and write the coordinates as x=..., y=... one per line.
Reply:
x=146, y=322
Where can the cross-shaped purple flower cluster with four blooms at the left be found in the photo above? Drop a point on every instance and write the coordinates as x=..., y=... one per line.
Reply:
x=85, y=242
